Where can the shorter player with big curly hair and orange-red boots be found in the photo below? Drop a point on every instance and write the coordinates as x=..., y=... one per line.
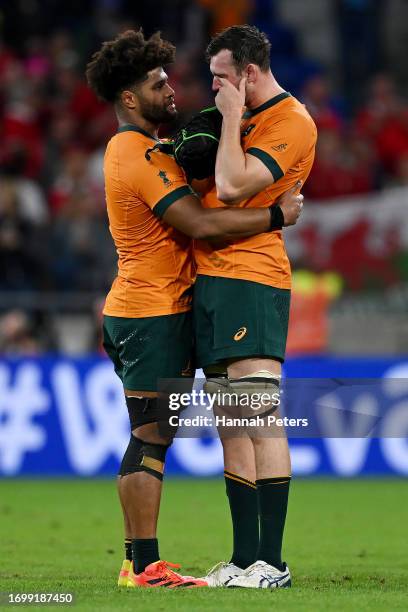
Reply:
x=152, y=213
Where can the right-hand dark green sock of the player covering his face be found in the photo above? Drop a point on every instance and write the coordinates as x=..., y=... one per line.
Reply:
x=273, y=503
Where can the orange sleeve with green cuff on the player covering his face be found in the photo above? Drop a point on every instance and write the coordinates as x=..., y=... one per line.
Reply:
x=280, y=146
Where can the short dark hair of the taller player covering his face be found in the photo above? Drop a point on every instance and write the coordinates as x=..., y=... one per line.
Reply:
x=247, y=44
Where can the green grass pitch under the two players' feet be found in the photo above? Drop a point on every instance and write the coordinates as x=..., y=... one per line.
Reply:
x=345, y=544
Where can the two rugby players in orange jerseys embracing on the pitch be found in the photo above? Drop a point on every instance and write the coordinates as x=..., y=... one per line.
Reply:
x=238, y=315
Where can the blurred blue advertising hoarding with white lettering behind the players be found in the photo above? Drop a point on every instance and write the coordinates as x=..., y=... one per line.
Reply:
x=67, y=417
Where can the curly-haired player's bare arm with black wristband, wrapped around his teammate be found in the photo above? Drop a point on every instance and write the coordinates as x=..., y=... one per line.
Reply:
x=187, y=215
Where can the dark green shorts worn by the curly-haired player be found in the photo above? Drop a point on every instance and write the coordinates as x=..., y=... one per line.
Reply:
x=146, y=350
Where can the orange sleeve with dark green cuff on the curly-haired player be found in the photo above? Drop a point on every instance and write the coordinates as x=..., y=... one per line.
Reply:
x=161, y=182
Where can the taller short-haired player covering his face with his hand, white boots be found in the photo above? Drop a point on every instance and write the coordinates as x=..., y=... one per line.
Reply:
x=242, y=292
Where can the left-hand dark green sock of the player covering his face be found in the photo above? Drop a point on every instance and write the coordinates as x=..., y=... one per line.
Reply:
x=244, y=514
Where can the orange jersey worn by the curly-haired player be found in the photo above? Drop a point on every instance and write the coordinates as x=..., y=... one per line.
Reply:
x=155, y=269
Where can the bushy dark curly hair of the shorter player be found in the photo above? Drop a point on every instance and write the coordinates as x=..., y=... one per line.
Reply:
x=125, y=61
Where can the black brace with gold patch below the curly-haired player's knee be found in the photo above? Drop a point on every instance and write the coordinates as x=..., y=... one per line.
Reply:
x=141, y=456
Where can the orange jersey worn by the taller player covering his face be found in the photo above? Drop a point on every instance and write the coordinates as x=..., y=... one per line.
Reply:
x=282, y=135
